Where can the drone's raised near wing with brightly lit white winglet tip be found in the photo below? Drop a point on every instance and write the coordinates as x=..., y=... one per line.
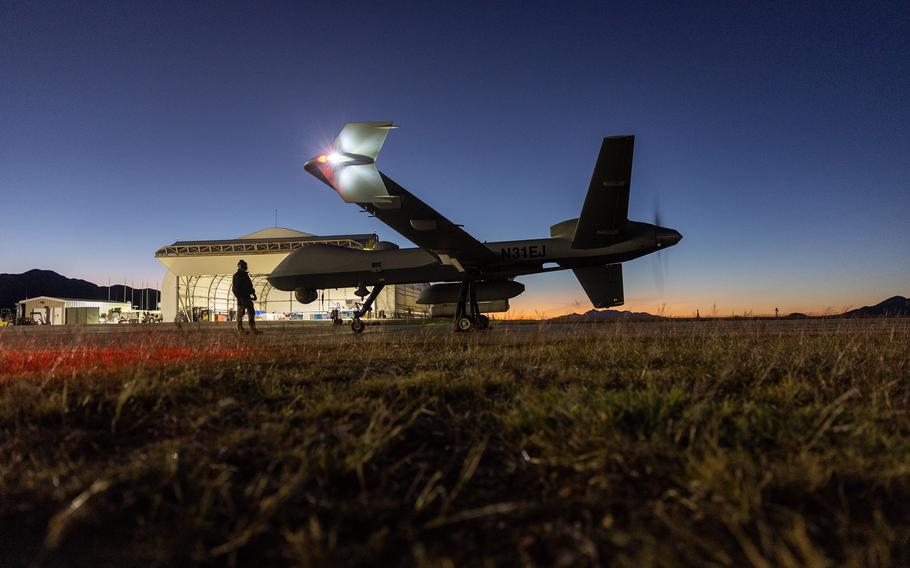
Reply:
x=350, y=169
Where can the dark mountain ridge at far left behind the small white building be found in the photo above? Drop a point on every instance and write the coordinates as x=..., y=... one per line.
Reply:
x=15, y=287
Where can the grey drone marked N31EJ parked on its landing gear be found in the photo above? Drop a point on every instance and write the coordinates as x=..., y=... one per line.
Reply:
x=467, y=272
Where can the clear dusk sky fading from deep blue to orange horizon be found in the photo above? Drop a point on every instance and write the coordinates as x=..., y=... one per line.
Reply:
x=774, y=136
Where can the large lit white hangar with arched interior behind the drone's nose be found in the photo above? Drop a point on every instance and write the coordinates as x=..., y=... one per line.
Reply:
x=197, y=284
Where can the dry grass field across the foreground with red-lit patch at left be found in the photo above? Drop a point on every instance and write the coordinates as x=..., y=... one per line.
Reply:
x=672, y=443
